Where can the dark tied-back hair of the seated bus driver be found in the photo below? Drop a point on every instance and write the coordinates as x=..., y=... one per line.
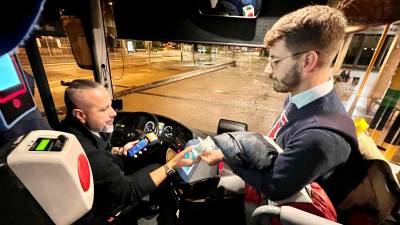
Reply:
x=71, y=90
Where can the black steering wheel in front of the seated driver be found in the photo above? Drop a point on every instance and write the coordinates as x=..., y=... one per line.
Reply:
x=131, y=127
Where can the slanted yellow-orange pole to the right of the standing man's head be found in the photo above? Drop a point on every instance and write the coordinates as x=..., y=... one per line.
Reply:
x=369, y=69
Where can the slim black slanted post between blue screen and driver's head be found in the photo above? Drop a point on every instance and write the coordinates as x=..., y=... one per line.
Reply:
x=41, y=81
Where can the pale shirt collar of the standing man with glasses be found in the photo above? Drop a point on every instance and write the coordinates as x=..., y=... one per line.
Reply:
x=312, y=94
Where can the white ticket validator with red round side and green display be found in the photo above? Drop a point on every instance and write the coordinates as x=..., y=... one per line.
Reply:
x=45, y=179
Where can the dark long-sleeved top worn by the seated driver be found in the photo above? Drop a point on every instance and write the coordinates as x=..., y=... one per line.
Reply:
x=112, y=188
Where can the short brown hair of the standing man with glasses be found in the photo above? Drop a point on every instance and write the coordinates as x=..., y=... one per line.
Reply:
x=319, y=28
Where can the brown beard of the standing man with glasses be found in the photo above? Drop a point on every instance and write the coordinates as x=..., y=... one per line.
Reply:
x=290, y=81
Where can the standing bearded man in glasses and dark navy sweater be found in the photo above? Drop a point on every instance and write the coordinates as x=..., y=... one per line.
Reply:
x=317, y=137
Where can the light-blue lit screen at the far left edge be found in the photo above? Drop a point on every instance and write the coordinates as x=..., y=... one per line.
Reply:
x=9, y=77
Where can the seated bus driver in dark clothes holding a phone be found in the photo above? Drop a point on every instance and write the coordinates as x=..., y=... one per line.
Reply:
x=90, y=118
